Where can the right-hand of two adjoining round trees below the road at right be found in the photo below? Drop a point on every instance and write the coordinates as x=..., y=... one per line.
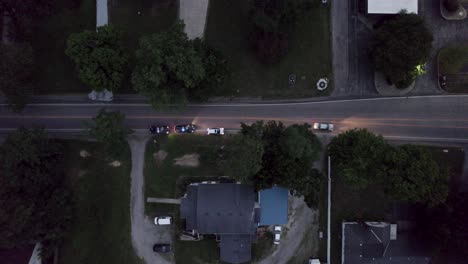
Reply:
x=413, y=175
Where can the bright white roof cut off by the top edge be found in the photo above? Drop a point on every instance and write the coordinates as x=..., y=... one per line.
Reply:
x=391, y=6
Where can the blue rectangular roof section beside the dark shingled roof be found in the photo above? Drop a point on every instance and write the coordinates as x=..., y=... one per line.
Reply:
x=273, y=206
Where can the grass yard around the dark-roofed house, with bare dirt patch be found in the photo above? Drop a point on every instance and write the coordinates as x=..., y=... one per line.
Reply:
x=165, y=179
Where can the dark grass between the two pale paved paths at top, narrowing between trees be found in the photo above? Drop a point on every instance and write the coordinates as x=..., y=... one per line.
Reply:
x=154, y=17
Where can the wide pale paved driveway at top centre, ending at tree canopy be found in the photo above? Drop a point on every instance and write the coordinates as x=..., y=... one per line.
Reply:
x=194, y=13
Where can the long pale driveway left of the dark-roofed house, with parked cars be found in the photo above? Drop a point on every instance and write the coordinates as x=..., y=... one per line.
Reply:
x=144, y=233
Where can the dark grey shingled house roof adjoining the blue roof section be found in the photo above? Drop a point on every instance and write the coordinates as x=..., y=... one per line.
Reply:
x=225, y=209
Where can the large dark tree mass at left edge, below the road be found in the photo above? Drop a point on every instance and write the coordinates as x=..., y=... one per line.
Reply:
x=34, y=199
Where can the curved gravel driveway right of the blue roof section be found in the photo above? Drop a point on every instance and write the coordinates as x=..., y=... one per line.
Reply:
x=299, y=236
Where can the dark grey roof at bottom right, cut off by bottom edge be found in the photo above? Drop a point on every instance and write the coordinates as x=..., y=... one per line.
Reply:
x=364, y=244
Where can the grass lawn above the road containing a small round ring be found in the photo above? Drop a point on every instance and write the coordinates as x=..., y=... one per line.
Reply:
x=309, y=53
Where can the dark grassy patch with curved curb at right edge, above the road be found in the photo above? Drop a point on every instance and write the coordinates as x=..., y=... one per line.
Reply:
x=453, y=63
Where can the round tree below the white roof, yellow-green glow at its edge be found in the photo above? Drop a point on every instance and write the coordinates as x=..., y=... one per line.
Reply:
x=401, y=44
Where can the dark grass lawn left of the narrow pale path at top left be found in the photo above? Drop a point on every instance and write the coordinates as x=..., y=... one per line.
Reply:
x=55, y=73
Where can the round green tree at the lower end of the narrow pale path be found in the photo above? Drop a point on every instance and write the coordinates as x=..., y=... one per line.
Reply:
x=99, y=57
